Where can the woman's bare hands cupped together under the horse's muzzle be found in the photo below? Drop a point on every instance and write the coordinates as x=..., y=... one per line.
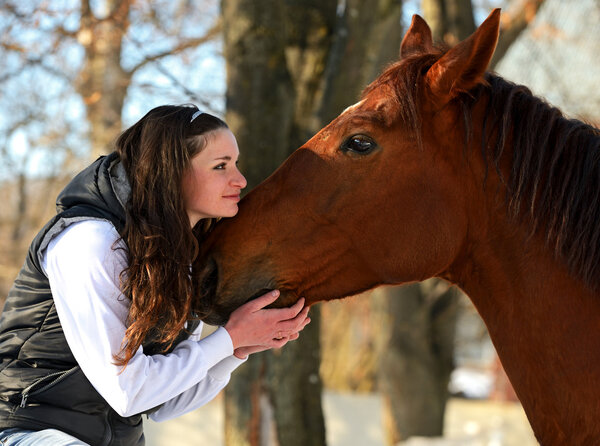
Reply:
x=253, y=328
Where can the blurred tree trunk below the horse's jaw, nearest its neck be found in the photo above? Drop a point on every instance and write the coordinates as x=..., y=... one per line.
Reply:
x=416, y=350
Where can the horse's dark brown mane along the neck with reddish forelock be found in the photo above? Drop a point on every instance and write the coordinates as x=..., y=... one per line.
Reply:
x=554, y=182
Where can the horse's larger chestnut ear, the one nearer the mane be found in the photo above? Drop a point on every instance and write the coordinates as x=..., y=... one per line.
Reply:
x=463, y=66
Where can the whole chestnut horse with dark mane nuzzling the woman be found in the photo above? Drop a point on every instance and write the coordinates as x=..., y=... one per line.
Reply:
x=442, y=169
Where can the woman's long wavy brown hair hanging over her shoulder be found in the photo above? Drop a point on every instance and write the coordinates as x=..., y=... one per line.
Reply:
x=161, y=245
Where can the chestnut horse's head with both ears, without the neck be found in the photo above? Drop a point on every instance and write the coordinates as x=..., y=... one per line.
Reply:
x=378, y=196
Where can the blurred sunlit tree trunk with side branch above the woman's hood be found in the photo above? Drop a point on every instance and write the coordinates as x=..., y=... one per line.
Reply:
x=103, y=80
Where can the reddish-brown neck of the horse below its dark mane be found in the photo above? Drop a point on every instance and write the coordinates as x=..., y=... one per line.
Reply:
x=543, y=323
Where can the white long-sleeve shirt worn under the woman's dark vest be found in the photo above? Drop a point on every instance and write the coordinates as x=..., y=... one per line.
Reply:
x=83, y=270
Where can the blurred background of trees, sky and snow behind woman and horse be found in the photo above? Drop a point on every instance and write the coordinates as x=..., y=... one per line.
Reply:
x=400, y=365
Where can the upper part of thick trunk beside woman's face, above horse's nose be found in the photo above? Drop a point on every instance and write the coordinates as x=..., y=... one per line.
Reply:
x=260, y=96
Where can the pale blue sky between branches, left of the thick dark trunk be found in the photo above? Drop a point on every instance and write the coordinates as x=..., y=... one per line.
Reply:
x=34, y=95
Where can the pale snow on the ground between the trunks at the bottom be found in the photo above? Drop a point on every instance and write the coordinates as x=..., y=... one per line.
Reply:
x=355, y=420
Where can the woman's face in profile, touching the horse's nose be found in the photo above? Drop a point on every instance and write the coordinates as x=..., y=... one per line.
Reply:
x=212, y=183
